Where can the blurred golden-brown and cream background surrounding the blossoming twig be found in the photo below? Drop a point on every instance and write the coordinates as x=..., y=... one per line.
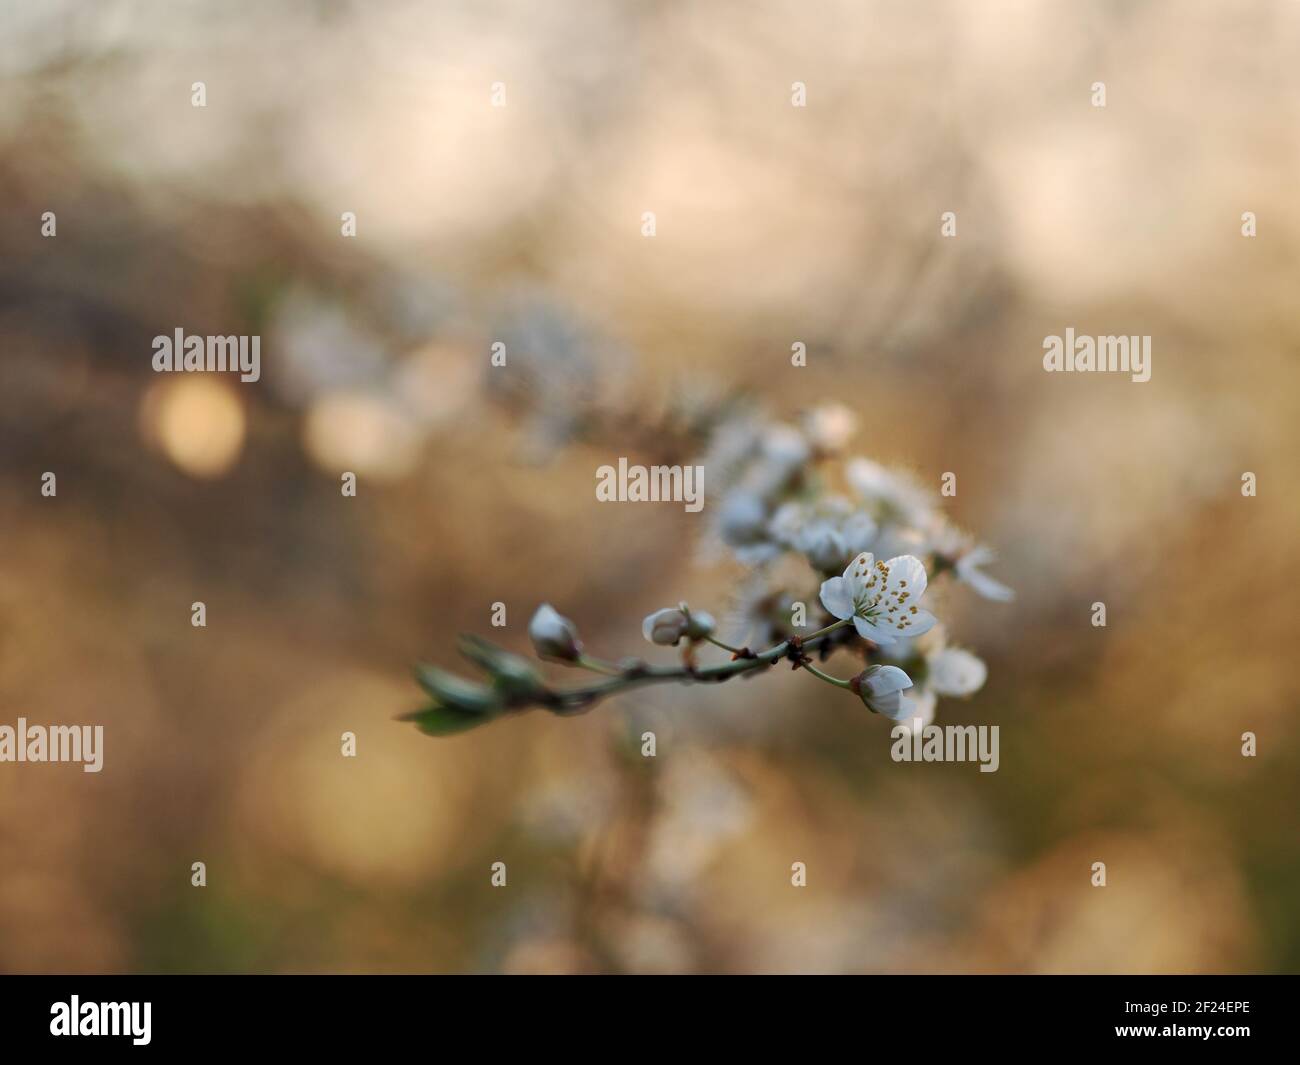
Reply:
x=523, y=224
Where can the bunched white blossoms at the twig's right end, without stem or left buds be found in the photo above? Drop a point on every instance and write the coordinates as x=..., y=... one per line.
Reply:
x=792, y=503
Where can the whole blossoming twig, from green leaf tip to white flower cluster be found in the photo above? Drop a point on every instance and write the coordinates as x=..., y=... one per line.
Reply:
x=839, y=557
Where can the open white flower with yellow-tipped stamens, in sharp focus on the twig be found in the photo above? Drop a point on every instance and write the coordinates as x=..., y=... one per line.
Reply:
x=881, y=598
